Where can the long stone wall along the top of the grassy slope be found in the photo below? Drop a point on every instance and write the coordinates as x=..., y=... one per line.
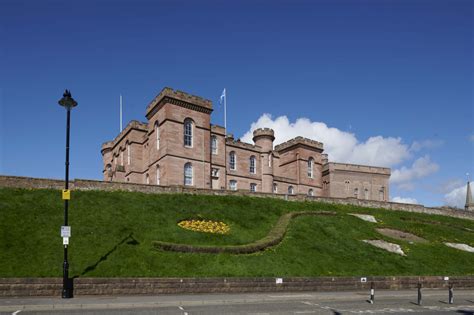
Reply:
x=85, y=184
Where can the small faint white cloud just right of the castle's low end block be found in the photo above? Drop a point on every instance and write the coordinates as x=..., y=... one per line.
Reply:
x=422, y=167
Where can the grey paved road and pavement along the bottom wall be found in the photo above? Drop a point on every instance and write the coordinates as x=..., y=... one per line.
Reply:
x=386, y=302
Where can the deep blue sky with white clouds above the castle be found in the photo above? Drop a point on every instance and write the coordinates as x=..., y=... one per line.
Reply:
x=384, y=83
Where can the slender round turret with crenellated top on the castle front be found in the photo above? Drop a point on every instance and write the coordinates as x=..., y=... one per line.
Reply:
x=264, y=137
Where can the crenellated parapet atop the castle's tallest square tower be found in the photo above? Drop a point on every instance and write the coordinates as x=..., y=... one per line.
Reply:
x=180, y=98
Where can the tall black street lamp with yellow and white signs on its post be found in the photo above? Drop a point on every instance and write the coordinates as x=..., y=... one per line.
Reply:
x=67, y=102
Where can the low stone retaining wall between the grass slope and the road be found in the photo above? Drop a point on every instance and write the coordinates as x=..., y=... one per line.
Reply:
x=155, y=286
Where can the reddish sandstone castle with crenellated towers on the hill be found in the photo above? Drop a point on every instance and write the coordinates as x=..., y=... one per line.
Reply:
x=178, y=145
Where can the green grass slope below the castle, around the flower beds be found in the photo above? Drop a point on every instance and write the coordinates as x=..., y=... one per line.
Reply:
x=112, y=235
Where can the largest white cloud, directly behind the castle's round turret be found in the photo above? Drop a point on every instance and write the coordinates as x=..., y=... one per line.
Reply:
x=341, y=146
